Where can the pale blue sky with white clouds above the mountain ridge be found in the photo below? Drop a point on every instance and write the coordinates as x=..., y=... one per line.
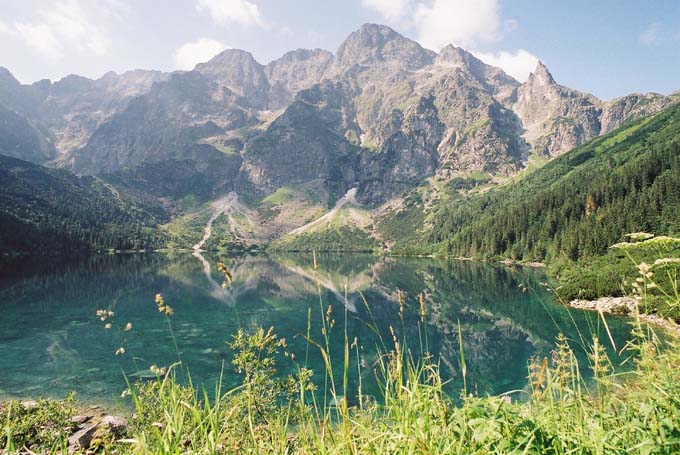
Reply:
x=606, y=47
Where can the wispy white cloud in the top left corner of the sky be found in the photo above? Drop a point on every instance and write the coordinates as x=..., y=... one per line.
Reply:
x=66, y=26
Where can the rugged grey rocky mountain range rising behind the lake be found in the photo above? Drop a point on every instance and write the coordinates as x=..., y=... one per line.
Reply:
x=381, y=116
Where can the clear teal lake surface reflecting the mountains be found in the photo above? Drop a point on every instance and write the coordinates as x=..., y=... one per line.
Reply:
x=52, y=341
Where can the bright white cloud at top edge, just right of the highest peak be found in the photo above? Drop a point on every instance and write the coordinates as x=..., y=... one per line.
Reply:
x=460, y=22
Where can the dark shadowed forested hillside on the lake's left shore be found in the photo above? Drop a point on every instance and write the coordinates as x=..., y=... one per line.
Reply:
x=47, y=210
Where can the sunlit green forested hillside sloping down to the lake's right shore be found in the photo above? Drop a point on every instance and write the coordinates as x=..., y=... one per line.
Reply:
x=578, y=204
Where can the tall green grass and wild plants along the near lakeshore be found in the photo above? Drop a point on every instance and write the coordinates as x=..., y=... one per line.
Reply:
x=561, y=411
